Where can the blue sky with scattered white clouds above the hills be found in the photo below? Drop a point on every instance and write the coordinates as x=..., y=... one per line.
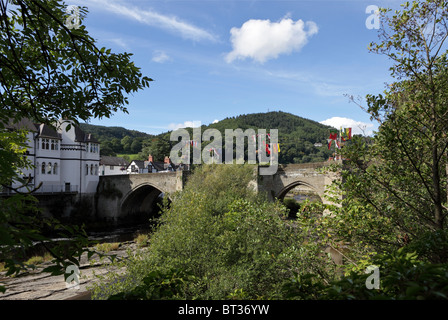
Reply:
x=216, y=59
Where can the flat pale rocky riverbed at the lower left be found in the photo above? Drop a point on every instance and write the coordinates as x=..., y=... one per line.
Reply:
x=36, y=285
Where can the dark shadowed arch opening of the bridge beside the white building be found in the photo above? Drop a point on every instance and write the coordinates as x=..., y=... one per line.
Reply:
x=141, y=204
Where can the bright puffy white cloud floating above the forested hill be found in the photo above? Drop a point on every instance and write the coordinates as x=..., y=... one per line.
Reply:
x=262, y=40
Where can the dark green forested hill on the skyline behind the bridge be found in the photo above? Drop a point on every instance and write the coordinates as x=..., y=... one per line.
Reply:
x=297, y=137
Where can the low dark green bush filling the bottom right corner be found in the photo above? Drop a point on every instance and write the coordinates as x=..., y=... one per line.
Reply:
x=402, y=277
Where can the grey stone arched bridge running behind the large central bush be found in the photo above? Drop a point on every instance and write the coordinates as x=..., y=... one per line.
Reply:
x=131, y=198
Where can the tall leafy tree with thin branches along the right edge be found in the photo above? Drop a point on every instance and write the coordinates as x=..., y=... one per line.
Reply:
x=399, y=180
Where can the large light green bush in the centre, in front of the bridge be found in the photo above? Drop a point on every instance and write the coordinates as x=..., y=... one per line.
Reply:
x=232, y=241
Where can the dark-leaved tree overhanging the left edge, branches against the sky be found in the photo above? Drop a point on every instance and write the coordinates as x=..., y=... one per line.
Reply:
x=50, y=71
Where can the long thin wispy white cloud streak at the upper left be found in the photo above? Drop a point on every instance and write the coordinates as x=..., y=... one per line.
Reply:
x=154, y=19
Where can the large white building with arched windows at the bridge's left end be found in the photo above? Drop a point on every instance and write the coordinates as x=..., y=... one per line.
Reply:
x=64, y=161
